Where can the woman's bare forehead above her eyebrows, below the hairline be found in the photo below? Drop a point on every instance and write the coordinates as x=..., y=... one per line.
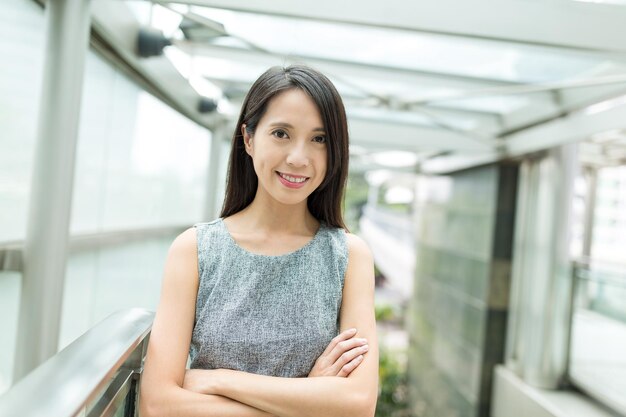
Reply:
x=294, y=107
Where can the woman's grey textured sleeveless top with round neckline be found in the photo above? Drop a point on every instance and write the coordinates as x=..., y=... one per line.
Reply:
x=268, y=315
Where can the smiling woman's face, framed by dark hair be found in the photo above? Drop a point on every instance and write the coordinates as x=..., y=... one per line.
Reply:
x=288, y=148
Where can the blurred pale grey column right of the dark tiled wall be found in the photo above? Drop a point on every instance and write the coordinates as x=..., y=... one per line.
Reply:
x=539, y=325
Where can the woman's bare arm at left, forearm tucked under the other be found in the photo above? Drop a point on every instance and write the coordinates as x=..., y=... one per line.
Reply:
x=162, y=392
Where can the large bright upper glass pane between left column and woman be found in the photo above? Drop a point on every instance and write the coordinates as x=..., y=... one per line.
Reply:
x=139, y=163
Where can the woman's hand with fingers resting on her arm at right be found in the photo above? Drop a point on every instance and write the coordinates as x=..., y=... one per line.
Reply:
x=342, y=356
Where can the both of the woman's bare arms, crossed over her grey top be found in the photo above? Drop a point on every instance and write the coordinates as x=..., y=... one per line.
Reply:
x=343, y=381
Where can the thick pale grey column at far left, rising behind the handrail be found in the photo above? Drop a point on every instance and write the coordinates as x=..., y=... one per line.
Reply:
x=45, y=252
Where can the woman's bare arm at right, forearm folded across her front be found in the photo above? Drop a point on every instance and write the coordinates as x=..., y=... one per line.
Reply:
x=331, y=396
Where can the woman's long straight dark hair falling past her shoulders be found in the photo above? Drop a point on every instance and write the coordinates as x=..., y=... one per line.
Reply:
x=241, y=185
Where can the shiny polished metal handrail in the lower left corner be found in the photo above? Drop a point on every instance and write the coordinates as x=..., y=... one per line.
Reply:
x=93, y=375
